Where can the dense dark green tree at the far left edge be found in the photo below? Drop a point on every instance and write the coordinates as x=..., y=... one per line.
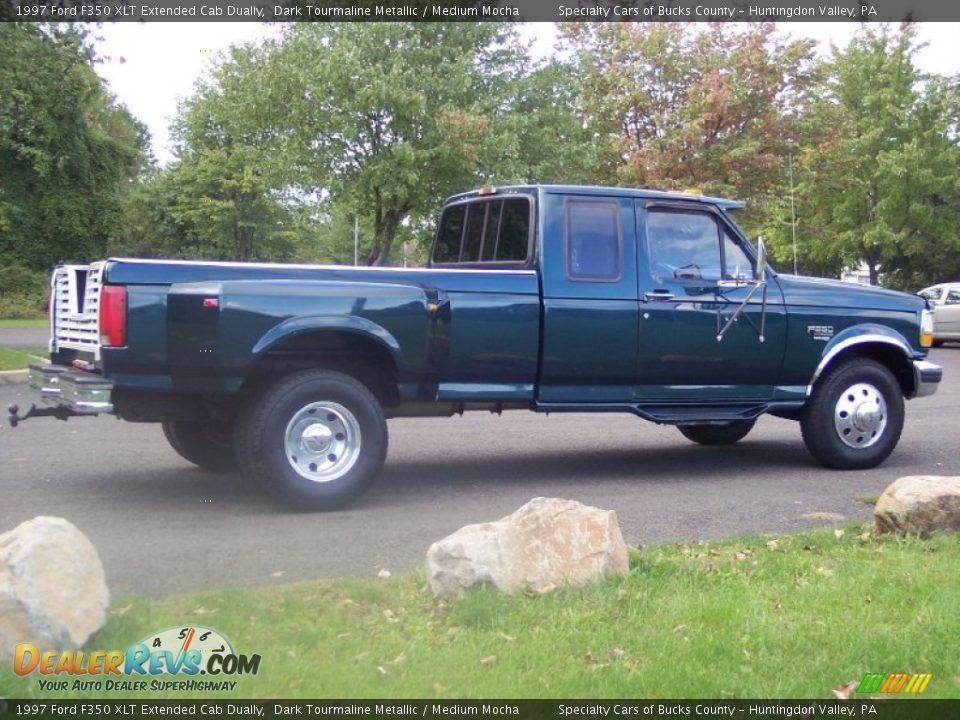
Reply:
x=68, y=152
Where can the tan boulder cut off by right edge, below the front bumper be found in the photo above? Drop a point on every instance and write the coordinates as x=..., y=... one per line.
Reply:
x=919, y=505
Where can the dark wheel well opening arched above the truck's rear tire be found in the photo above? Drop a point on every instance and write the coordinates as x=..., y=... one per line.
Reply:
x=353, y=354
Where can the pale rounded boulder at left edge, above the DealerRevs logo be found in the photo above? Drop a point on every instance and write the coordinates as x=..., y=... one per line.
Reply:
x=52, y=589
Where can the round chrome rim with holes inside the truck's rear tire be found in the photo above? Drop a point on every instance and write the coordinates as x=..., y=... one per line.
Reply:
x=322, y=441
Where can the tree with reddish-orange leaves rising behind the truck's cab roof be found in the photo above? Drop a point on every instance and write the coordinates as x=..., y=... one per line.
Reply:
x=685, y=106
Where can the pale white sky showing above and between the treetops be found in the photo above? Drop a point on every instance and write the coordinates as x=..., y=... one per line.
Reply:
x=152, y=67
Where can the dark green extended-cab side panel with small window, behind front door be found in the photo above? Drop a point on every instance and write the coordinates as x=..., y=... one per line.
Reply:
x=589, y=275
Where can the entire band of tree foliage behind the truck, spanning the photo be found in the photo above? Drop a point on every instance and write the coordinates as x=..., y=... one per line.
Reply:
x=286, y=148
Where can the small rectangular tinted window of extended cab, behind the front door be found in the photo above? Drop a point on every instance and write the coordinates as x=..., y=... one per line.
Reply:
x=593, y=247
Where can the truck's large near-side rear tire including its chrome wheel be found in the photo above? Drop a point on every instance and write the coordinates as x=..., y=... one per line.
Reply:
x=315, y=439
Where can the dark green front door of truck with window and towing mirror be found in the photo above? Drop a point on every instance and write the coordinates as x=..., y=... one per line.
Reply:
x=690, y=263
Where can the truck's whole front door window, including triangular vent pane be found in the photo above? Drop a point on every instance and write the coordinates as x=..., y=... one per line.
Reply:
x=693, y=246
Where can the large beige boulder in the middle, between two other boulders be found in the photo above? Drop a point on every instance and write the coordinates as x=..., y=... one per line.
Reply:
x=546, y=543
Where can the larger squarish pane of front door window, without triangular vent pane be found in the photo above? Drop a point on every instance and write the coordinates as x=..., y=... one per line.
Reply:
x=683, y=245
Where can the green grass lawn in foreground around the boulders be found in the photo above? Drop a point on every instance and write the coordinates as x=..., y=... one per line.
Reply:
x=760, y=617
